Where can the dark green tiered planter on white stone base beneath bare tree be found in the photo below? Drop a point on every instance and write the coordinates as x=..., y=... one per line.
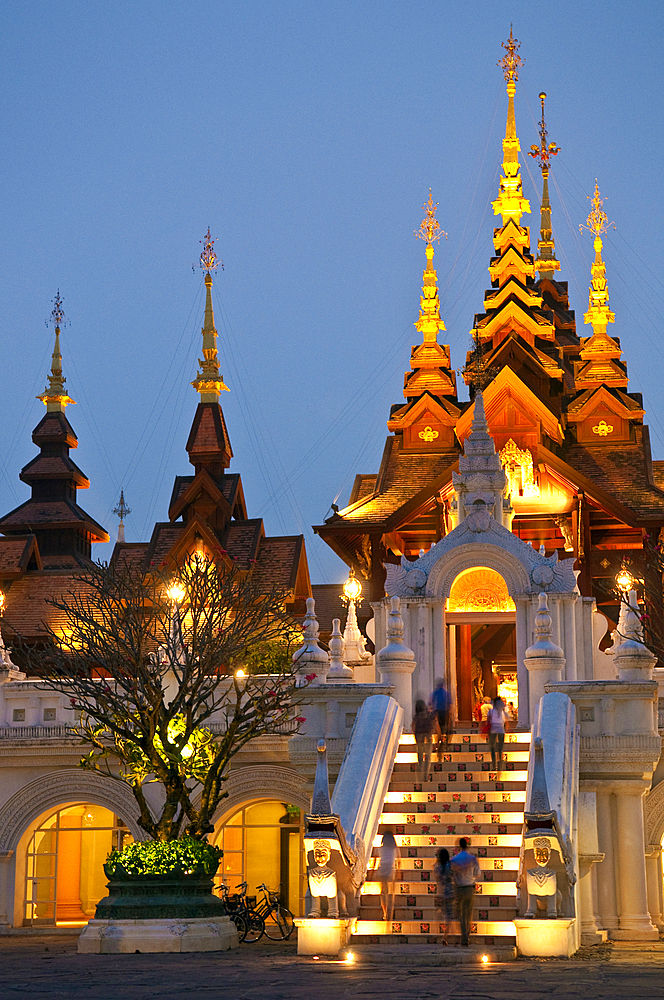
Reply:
x=158, y=913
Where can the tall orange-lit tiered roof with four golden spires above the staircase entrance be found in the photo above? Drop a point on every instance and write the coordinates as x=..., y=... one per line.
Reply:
x=570, y=434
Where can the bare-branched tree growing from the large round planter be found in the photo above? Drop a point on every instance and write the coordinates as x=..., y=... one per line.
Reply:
x=148, y=662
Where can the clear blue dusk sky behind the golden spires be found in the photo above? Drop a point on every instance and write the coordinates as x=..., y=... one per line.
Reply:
x=307, y=137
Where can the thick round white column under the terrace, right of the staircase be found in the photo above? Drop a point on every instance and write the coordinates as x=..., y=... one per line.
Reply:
x=635, y=923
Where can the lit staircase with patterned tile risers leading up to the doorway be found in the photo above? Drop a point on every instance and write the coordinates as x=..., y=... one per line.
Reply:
x=463, y=798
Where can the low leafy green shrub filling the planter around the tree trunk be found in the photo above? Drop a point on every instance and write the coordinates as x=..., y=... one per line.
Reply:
x=185, y=856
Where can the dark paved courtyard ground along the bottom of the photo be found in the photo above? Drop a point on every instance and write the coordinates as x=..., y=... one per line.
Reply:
x=48, y=968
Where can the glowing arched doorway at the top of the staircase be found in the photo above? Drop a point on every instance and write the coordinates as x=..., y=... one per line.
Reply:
x=480, y=618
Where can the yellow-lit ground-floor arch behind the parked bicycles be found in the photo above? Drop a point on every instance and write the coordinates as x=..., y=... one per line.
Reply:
x=262, y=842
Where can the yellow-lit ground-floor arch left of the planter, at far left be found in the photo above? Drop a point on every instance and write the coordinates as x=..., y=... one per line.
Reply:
x=63, y=854
